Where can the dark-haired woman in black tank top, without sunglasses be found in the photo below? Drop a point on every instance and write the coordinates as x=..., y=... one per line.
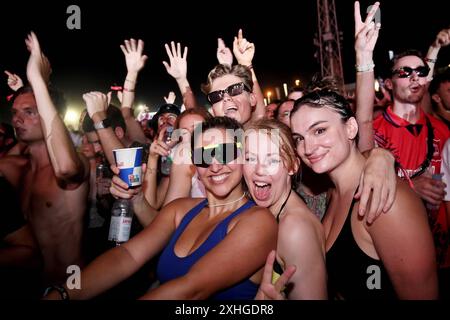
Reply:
x=391, y=257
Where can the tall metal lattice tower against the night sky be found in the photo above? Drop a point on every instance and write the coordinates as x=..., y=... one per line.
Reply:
x=328, y=42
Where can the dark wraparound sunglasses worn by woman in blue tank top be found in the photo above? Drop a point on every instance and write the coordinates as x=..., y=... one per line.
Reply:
x=223, y=153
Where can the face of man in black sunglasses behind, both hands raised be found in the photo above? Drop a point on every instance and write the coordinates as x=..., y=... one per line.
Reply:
x=238, y=107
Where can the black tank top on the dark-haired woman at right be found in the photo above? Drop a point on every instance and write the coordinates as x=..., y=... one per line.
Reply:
x=351, y=272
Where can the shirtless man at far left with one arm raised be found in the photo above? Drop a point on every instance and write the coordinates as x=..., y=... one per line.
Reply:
x=51, y=178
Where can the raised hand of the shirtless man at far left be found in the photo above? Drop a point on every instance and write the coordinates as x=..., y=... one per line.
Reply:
x=38, y=67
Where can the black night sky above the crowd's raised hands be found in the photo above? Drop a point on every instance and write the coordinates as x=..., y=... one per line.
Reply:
x=283, y=32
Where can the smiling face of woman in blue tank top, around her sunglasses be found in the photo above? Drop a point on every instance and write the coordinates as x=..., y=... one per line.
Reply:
x=219, y=179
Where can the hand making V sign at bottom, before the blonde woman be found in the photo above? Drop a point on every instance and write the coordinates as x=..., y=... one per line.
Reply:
x=269, y=291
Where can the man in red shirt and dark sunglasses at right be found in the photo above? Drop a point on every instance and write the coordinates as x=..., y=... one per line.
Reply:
x=416, y=140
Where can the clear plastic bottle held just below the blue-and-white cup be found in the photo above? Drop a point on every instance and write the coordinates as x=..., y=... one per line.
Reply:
x=121, y=218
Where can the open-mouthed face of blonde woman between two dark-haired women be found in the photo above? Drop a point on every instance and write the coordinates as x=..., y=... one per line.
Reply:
x=265, y=169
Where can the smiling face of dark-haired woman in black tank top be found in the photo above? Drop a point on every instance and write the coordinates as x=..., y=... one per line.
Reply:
x=323, y=140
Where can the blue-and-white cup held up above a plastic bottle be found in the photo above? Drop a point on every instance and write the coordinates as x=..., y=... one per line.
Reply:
x=129, y=161
